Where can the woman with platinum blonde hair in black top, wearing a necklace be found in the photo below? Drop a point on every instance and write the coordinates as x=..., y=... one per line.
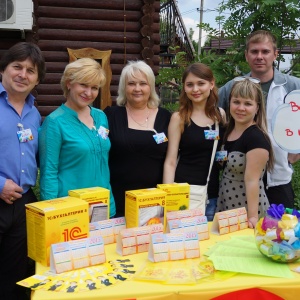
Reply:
x=138, y=131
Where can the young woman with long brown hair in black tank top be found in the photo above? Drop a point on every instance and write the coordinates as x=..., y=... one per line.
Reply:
x=198, y=113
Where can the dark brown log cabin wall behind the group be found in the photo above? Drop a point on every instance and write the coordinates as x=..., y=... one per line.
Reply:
x=129, y=28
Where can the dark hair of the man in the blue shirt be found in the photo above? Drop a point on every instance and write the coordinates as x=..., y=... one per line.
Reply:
x=22, y=51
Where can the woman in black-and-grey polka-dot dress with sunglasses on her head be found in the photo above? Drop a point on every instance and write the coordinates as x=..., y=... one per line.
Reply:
x=249, y=151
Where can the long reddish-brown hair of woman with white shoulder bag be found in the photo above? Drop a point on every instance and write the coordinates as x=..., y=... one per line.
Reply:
x=186, y=107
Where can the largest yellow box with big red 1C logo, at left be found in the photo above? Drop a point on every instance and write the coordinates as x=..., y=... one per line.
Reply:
x=54, y=221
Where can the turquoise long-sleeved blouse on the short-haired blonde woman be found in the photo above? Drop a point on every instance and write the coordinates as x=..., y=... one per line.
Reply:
x=73, y=156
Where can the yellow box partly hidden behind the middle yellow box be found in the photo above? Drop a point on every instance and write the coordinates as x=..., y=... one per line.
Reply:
x=178, y=195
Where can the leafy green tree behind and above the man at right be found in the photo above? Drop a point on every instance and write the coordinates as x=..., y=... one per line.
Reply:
x=281, y=17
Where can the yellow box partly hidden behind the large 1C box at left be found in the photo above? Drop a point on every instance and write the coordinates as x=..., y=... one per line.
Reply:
x=98, y=199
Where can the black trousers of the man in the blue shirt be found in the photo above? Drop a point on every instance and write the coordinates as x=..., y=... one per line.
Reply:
x=13, y=247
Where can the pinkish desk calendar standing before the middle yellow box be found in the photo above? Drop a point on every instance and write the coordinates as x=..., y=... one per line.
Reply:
x=137, y=239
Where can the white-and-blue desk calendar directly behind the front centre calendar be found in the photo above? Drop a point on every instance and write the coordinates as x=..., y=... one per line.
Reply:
x=198, y=224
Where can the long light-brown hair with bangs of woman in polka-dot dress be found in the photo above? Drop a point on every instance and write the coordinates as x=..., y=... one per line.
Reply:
x=249, y=90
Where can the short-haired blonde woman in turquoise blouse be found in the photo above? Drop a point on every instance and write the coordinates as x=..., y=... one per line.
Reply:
x=73, y=140
